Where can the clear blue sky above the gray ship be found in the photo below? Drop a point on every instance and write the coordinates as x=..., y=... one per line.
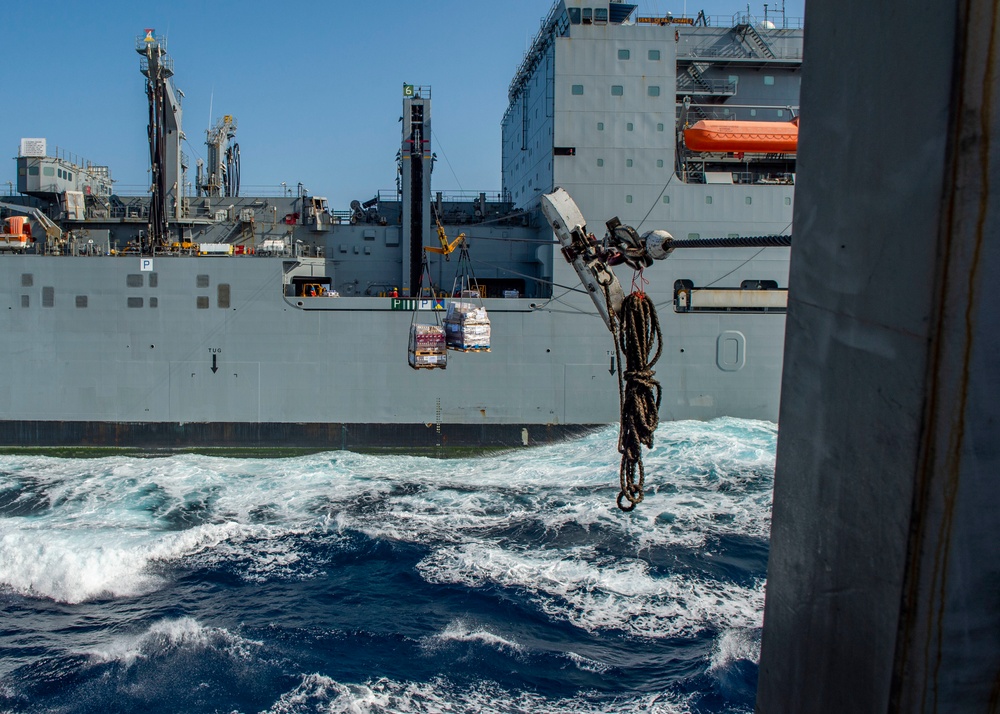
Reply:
x=315, y=86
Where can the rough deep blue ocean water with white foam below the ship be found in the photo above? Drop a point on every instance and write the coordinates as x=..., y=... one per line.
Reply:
x=341, y=582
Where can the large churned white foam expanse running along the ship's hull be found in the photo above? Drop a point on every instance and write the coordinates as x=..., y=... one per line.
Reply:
x=106, y=527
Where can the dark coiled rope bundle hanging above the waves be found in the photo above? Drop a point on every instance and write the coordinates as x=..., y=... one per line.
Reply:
x=636, y=331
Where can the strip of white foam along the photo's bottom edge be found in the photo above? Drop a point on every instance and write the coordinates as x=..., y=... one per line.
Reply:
x=317, y=693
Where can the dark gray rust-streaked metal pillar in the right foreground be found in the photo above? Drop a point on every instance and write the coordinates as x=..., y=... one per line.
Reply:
x=883, y=590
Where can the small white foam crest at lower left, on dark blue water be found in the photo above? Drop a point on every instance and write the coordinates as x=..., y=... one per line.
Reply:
x=168, y=635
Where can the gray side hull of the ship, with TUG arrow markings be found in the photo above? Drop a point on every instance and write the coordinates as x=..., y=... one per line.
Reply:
x=101, y=353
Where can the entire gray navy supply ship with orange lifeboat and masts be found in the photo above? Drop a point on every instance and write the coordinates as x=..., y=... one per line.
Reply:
x=202, y=317
